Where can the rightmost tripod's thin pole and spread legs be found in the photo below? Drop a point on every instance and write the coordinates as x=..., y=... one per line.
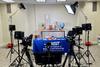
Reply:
x=87, y=52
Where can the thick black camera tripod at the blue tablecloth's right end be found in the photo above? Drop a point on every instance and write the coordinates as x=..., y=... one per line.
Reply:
x=70, y=54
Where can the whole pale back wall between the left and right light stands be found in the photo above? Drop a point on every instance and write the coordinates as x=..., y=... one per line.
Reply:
x=34, y=15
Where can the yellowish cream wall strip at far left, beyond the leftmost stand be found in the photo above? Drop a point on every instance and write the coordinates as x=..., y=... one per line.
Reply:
x=4, y=25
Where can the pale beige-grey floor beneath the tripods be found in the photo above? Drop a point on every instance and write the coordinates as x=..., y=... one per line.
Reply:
x=5, y=62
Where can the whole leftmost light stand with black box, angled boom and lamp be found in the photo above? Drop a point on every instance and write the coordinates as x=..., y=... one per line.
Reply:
x=12, y=28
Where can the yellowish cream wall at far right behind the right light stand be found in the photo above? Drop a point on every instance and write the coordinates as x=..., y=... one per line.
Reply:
x=93, y=18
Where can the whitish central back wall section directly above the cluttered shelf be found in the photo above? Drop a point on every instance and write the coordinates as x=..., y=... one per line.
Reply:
x=55, y=13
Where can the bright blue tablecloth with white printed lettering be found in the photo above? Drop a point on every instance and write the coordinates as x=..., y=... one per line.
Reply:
x=57, y=45
